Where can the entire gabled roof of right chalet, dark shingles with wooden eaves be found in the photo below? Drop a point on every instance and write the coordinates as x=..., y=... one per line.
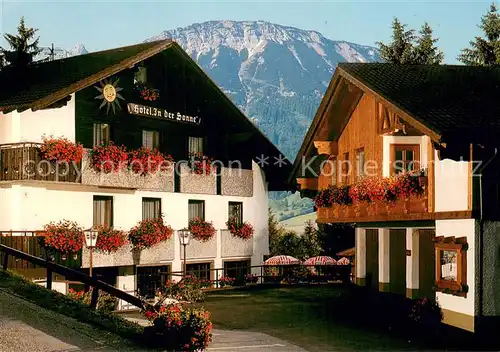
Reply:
x=449, y=103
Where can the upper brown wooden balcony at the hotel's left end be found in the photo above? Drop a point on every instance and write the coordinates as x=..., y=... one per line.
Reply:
x=22, y=161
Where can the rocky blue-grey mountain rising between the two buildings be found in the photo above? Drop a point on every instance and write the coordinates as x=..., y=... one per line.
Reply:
x=275, y=74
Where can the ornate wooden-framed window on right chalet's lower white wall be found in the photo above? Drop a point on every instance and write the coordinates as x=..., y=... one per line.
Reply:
x=451, y=265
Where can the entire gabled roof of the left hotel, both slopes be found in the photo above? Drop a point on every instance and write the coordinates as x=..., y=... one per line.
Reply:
x=46, y=83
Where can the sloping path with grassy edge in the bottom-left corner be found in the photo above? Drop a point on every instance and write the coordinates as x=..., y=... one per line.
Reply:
x=25, y=326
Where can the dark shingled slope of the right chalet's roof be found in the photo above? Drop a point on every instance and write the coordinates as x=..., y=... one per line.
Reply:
x=453, y=101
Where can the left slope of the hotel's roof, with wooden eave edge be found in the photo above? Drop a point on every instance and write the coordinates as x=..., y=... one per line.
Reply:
x=45, y=83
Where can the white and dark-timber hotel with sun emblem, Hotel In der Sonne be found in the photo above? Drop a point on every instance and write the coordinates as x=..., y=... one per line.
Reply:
x=152, y=95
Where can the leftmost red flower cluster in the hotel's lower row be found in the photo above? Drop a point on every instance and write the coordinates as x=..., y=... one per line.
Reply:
x=63, y=236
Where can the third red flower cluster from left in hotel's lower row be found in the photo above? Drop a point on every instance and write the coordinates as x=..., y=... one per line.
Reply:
x=148, y=233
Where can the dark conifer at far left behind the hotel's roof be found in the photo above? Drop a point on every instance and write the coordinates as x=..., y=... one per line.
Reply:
x=23, y=45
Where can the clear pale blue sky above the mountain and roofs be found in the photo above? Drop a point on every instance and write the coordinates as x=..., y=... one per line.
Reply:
x=106, y=24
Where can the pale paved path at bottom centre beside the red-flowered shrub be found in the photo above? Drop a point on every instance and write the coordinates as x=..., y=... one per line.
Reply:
x=241, y=341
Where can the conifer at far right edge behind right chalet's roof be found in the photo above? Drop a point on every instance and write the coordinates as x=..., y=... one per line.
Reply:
x=485, y=51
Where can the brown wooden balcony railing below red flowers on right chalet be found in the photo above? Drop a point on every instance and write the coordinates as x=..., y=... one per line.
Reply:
x=412, y=208
